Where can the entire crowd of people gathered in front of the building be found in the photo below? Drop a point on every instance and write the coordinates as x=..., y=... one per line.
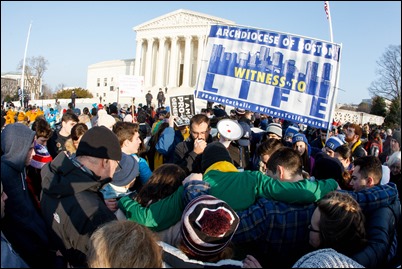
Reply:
x=125, y=186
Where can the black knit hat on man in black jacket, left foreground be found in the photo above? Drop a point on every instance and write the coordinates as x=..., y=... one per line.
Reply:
x=100, y=142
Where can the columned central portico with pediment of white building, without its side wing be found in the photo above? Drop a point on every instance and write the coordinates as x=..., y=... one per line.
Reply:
x=169, y=48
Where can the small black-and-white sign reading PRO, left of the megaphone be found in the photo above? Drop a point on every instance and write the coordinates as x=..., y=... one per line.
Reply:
x=183, y=107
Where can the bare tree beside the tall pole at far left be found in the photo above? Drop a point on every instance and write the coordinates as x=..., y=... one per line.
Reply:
x=35, y=68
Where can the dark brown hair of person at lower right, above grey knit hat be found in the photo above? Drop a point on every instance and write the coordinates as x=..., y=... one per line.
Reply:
x=341, y=223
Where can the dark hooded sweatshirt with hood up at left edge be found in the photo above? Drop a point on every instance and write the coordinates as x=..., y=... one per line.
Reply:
x=23, y=225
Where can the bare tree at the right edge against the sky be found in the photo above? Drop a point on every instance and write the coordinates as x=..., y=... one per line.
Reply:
x=388, y=85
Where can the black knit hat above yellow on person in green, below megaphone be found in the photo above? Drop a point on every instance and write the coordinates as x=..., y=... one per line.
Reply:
x=213, y=153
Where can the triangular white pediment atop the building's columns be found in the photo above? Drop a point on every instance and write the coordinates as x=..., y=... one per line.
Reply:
x=183, y=18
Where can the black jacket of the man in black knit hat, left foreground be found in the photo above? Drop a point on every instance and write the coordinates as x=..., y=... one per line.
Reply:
x=73, y=206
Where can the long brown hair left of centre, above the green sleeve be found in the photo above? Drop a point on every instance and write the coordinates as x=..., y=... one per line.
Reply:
x=164, y=181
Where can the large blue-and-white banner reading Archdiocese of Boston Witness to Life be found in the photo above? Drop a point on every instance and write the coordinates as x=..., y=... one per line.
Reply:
x=278, y=74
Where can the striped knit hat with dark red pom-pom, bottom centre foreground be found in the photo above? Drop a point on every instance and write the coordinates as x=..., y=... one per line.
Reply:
x=208, y=225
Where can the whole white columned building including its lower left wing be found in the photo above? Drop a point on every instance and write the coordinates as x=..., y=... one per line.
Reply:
x=168, y=54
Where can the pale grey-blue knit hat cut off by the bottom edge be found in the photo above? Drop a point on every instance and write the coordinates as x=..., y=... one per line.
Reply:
x=326, y=258
